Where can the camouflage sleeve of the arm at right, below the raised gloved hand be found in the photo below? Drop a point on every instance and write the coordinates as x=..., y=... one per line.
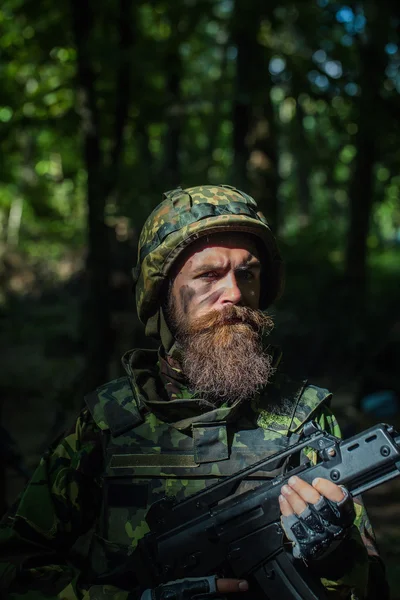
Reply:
x=355, y=570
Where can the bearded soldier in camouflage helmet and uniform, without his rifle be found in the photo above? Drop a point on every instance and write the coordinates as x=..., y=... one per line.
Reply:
x=212, y=400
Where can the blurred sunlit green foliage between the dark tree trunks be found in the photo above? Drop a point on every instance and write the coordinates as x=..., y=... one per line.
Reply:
x=313, y=81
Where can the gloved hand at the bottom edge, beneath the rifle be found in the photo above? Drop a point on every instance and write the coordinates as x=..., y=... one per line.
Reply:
x=195, y=588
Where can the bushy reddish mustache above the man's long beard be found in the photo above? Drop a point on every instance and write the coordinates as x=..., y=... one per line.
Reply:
x=229, y=316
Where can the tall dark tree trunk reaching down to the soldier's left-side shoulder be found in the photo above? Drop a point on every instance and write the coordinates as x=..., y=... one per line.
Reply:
x=96, y=307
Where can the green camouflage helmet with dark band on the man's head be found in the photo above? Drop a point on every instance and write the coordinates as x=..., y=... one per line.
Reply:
x=183, y=217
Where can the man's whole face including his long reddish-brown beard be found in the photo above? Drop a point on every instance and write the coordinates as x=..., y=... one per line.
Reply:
x=214, y=314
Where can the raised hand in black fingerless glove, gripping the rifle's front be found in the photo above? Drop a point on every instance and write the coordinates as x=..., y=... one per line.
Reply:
x=315, y=516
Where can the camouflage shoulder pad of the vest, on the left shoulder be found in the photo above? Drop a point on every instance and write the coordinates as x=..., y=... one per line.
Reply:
x=115, y=406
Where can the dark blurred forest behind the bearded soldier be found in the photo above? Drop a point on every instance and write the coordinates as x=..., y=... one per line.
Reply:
x=104, y=106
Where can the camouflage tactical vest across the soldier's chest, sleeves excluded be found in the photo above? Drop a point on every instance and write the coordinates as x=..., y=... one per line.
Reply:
x=147, y=458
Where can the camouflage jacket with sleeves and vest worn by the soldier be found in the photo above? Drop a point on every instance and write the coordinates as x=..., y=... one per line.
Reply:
x=148, y=434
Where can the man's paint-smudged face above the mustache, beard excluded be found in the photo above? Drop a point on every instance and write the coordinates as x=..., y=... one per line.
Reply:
x=216, y=272
